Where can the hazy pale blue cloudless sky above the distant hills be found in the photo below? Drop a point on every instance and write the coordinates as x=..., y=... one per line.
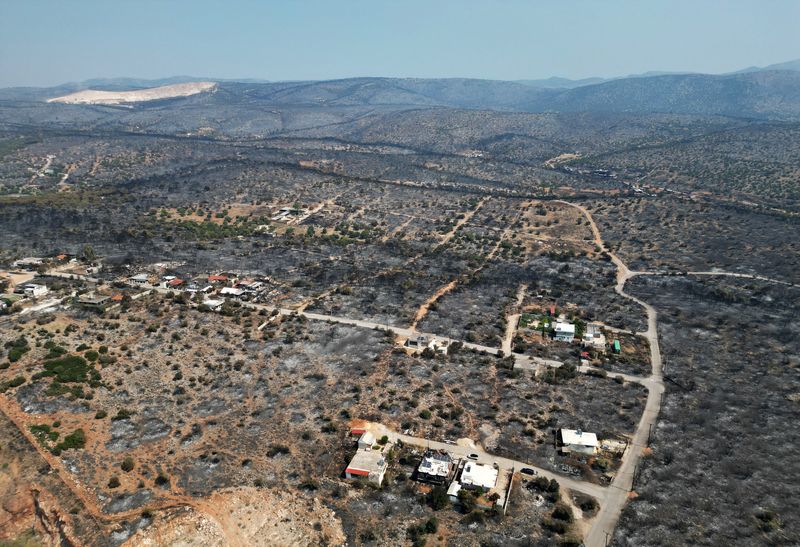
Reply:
x=48, y=42
